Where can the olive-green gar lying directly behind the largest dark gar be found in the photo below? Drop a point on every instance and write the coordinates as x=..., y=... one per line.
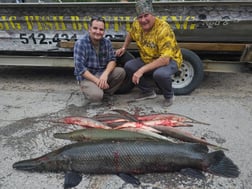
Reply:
x=103, y=134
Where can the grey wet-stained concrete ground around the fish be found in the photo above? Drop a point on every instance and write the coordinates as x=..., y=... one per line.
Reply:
x=33, y=99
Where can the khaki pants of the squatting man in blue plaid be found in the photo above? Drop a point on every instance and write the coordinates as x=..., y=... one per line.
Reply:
x=93, y=93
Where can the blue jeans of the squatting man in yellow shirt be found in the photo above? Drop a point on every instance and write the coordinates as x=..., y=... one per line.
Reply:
x=161, y=76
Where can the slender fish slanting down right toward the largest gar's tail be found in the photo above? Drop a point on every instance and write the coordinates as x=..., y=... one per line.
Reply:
x=184, y=136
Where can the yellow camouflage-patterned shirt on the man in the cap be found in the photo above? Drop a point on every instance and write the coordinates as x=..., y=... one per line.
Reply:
x=159, y=42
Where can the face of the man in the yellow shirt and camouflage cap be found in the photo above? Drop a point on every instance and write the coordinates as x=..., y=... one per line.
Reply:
x=146, y=21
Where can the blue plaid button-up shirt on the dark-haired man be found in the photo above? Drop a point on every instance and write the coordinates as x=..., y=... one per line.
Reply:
x=86, y=58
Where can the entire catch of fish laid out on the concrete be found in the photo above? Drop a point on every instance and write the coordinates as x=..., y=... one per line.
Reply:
x=105, y=147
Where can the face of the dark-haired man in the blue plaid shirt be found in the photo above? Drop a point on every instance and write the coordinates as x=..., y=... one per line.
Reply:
x=96, y=30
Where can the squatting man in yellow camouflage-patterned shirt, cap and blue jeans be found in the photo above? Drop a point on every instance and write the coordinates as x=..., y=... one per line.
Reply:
x=160, y=55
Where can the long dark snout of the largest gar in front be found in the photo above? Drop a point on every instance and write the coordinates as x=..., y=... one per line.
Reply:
x=27, y=165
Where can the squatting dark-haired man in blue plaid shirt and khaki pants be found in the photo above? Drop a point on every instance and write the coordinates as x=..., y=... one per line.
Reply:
x=95, y=63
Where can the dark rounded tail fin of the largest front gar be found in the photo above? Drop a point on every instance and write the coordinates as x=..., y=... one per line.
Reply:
x=221, y=165
